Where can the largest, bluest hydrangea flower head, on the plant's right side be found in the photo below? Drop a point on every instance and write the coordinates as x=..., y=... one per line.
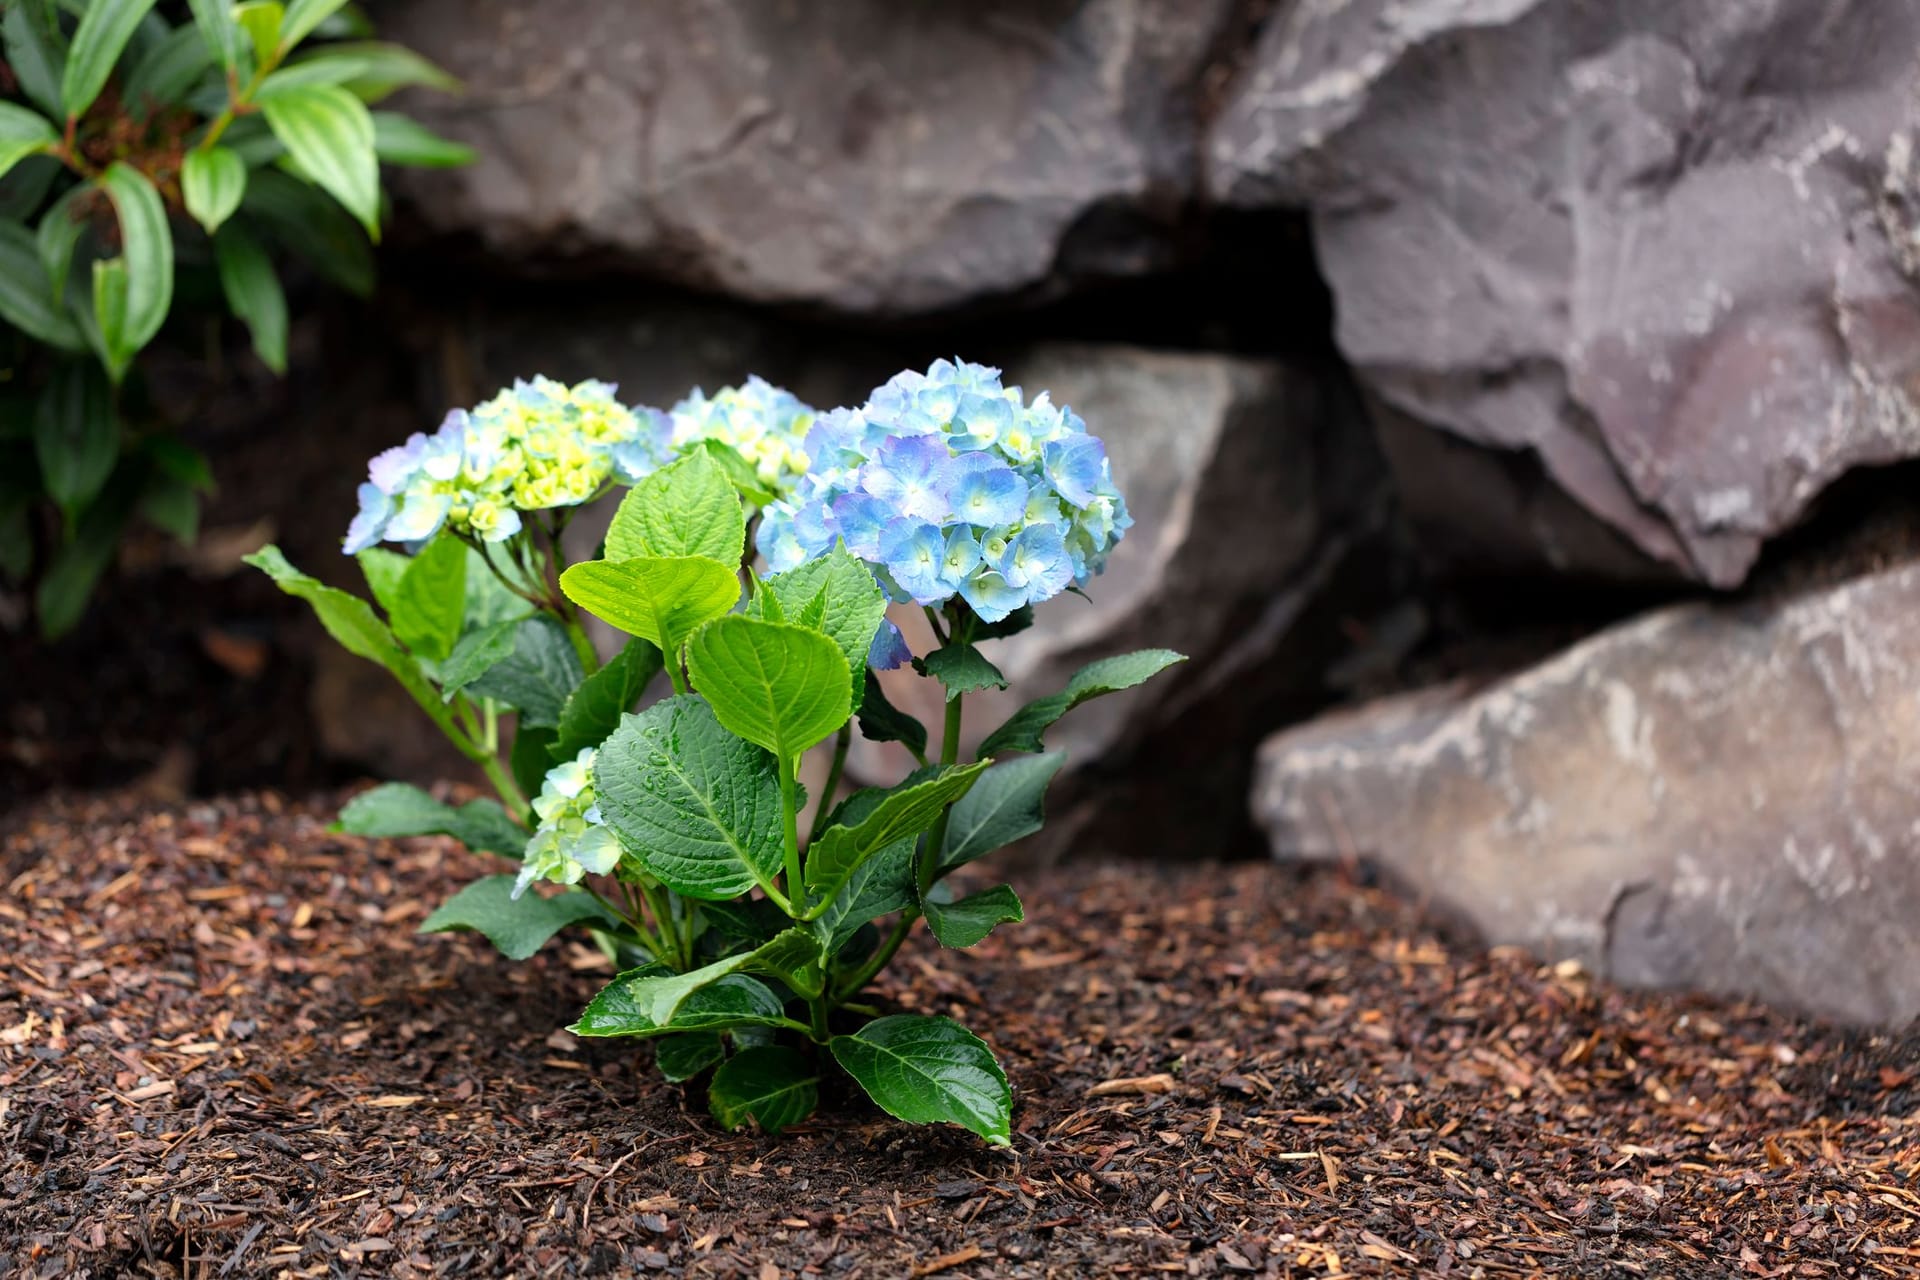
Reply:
x=953, y=485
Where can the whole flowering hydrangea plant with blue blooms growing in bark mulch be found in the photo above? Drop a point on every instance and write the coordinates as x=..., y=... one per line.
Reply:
x=673, y=832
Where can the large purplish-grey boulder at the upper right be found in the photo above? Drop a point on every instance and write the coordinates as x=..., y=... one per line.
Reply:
x=1668, y=249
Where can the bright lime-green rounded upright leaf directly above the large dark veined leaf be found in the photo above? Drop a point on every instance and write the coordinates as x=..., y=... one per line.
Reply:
x=771, y=682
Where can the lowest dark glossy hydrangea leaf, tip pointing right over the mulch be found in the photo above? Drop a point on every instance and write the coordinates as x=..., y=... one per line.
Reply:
x=928, y=1070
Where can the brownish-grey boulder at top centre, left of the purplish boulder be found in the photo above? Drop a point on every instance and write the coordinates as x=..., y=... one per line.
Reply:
x=861, y=154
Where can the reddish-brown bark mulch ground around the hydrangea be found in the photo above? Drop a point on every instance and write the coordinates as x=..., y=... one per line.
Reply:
x=224, y=1053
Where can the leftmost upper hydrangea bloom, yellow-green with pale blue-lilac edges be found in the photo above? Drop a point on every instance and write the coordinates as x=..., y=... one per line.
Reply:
x=535, y=446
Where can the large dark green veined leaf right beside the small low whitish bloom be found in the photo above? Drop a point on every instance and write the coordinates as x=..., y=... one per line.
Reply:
x=694, y=805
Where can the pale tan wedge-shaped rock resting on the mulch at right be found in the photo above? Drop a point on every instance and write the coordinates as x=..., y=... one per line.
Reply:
x=1708, y=797
